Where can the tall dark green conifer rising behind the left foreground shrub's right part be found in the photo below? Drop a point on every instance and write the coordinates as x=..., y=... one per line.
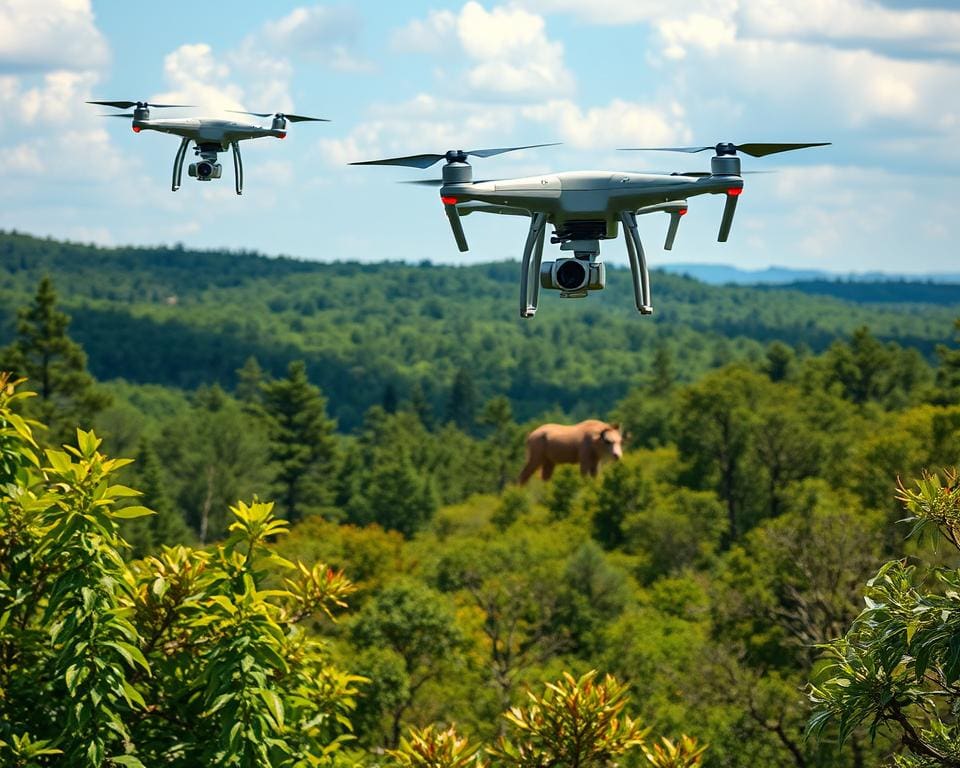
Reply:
x=301, y=442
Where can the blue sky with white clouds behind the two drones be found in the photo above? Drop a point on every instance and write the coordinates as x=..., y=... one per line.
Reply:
x=878, y=79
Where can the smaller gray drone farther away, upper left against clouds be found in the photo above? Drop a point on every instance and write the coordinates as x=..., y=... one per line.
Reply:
x=211, y=136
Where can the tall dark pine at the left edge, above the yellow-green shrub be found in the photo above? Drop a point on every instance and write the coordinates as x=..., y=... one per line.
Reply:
x=54, y=365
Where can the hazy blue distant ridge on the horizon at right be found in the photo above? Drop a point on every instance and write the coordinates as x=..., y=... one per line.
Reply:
x=722, y=274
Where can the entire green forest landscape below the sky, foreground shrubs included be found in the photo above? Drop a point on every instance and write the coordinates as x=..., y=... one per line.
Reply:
x=718, y=570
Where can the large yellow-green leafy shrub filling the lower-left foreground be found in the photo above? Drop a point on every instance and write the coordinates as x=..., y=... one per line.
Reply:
x=178, y=659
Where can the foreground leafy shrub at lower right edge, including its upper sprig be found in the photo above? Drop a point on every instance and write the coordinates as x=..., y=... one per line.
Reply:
x=898, y=666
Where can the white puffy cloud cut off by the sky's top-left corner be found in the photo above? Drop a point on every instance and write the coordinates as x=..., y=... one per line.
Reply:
x=46, y=35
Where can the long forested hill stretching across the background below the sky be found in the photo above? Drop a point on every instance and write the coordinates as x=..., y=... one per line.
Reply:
x=184, y=318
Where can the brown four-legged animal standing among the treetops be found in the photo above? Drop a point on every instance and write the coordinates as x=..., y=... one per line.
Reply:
x=585, y=443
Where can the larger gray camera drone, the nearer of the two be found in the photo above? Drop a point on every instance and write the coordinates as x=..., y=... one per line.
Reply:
x=584, y=208
